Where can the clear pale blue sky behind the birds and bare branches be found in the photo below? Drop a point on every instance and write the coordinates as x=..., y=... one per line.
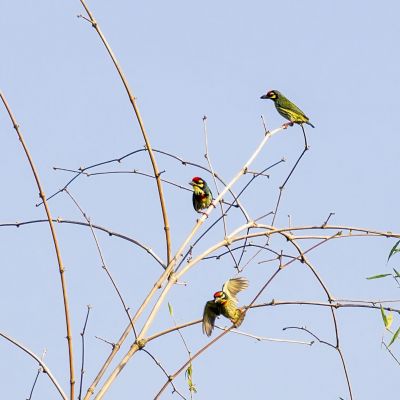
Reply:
x=337, y=60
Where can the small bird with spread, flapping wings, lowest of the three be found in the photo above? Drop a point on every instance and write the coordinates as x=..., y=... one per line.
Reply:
x=225, y=303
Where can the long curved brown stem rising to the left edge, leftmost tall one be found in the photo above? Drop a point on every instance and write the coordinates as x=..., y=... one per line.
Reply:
x=56, y=247
